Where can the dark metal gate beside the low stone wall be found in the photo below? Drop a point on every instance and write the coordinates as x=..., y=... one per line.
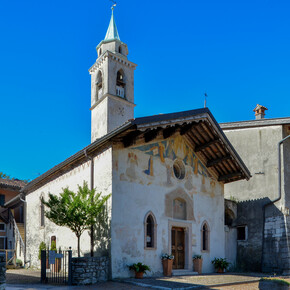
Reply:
x=56, y=267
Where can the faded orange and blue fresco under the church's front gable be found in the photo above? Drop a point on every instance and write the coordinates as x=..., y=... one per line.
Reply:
x=155, y=164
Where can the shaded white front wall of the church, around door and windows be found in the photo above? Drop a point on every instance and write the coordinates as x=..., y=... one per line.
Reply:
x=136, y=192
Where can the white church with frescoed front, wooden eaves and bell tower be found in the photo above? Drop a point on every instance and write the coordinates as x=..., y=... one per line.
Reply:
x=165, y=173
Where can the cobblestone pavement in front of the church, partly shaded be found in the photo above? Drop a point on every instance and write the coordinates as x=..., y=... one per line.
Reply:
x=29, y=279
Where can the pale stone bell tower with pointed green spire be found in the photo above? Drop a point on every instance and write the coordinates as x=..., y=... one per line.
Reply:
x=112, y=84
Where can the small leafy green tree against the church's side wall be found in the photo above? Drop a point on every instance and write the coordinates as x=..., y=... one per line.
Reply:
x=77, y=211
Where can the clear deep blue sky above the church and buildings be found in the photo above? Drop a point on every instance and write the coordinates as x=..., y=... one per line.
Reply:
x=236, y=51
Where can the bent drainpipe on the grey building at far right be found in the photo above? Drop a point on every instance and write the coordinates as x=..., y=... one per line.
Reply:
x=275, y=200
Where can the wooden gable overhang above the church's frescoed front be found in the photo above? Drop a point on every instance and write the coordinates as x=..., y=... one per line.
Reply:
x=205, y=136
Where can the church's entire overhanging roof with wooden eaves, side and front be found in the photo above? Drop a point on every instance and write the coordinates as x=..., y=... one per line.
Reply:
x=198, y=126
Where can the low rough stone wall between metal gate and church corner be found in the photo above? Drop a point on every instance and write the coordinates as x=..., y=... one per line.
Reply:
x=89, y=270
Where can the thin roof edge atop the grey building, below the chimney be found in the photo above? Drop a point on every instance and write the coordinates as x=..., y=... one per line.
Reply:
x=255, y=123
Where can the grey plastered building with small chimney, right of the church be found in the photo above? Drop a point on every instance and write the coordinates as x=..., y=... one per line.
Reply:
x=262, y=221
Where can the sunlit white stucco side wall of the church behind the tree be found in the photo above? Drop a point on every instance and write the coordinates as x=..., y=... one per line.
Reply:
x=64, y=236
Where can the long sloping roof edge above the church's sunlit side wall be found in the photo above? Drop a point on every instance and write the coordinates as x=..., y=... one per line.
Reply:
x=99, y=142
